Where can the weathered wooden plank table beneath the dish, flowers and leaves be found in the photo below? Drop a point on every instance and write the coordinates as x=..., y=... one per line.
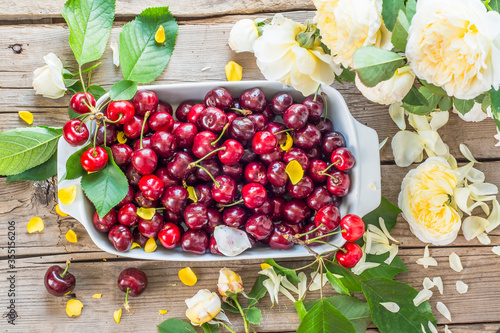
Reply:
x=30, y=29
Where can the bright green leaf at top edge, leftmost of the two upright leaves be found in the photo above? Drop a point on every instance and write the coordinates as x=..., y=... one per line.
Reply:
x=89, y=23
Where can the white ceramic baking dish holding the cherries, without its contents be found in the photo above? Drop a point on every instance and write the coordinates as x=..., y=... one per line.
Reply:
x=363, y=141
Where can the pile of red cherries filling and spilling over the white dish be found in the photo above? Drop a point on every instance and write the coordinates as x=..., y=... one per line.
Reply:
x=233, y=154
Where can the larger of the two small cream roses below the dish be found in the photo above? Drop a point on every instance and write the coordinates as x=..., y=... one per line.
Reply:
x=203, y=307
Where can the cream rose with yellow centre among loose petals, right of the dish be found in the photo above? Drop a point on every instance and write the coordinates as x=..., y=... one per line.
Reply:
x=425, y=200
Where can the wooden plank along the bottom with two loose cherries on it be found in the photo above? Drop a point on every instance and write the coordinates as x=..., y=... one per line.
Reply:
x=165, y=291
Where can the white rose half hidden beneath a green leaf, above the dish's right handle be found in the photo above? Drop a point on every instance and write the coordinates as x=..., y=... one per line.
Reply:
x=389, y=91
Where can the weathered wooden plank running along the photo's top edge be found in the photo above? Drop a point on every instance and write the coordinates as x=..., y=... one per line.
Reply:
x=31, y=9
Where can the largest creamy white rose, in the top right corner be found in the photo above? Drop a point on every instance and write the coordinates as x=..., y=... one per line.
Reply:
x=455, y=44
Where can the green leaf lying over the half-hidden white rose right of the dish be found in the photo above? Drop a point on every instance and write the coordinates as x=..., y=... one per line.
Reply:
x=375, y=65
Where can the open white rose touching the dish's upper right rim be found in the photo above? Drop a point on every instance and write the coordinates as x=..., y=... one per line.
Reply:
x=281, y=58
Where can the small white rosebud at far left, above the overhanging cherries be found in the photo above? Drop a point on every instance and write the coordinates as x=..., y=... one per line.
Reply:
x=48, y=80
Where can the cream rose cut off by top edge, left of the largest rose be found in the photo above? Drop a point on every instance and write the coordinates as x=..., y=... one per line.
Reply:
x=347, y=25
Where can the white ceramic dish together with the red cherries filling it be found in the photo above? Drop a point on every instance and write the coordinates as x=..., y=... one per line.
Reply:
x=254, y=156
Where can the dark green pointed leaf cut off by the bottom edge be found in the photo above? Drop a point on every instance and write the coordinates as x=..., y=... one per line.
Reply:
x=324, y=318
